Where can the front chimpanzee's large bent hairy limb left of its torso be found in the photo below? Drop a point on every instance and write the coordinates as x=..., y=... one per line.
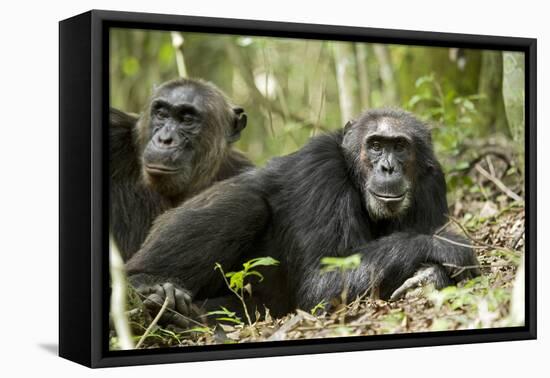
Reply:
x=219, y=225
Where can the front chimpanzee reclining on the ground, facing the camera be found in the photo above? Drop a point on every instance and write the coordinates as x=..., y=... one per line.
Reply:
x=375, y=188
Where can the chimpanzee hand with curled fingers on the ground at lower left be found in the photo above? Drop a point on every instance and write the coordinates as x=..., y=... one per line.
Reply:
x=179, y=308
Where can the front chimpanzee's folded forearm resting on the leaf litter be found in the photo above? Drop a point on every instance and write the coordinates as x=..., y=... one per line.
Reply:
x=386, y=263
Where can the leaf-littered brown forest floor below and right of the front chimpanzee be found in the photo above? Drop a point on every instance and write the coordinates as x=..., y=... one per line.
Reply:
x=488, y=213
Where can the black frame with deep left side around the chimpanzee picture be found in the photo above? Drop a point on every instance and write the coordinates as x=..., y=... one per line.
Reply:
x=83, y=197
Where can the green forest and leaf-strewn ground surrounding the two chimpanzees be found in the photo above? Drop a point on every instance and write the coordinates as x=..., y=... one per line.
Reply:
x=293, y=89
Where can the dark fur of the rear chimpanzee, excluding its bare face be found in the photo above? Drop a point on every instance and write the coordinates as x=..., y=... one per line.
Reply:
x=138, y=198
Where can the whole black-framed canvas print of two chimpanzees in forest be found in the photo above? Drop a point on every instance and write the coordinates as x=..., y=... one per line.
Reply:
x=234, y=188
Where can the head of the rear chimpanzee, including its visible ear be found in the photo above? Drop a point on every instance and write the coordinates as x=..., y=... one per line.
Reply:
x=187, y=128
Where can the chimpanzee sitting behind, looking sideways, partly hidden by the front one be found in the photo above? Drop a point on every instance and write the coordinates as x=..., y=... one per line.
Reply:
x=178, y=147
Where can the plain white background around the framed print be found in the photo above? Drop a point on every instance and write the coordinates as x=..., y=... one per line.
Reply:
x=29, y=186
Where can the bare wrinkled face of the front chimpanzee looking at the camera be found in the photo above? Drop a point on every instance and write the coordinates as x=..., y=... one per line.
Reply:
x=388, y=157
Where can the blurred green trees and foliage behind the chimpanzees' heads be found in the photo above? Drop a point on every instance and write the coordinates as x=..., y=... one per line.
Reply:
x=294, y=88
